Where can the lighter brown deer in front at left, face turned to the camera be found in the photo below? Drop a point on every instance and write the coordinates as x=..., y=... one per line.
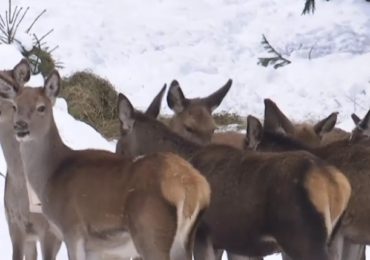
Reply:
x=99, y=202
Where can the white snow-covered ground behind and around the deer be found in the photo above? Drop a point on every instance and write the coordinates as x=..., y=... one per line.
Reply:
x=139, y=45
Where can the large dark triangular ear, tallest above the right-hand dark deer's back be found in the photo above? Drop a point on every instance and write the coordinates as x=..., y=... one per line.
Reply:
x=275, y=120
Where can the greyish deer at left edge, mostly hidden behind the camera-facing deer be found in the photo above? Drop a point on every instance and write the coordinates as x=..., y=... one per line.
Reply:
x=25, y=227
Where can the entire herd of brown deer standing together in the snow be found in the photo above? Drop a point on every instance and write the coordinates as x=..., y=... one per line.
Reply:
x=180, y=190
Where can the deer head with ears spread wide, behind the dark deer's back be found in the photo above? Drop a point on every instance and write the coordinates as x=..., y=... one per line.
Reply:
x=193, y=117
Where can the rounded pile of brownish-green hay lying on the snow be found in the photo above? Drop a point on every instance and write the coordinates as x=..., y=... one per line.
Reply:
x=92, y=100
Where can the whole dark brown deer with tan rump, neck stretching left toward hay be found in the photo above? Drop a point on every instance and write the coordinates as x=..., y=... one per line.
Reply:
x=260, y=202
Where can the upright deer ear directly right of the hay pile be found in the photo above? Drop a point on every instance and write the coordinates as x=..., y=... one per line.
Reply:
x=125, y=113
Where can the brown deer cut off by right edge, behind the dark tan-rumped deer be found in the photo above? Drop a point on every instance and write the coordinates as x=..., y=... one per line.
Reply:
x=274, y=136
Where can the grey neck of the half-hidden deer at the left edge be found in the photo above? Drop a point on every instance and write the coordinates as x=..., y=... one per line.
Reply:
x=10, y=147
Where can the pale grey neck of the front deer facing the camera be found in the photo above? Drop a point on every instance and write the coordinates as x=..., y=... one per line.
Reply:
x=41, y=158
